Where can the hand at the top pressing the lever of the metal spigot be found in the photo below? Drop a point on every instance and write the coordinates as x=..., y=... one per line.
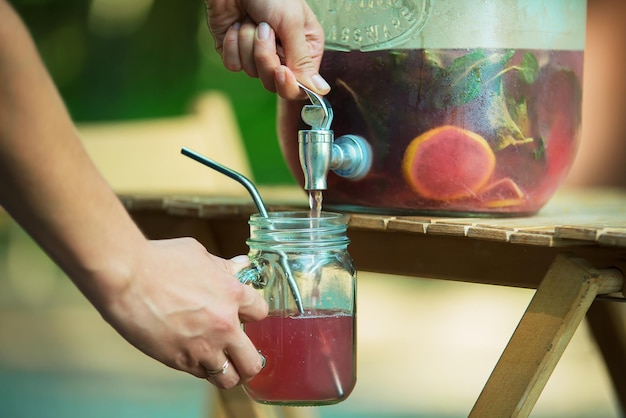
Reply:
x=277, y=41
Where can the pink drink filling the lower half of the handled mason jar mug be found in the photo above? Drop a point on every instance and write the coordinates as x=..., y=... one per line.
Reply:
x=310, y=358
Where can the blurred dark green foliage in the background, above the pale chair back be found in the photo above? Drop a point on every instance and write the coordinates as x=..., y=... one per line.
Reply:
x=134, y=59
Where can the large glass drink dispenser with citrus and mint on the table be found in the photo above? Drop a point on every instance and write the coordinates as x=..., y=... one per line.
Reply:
x=471, y=107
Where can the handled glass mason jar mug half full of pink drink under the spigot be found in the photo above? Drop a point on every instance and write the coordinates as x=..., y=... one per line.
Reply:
x=303, y=270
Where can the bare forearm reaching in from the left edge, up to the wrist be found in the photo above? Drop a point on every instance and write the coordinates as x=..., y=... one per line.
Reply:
x=48, y=183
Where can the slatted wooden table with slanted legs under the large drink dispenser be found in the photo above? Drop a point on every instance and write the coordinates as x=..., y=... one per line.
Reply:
x=573, y=252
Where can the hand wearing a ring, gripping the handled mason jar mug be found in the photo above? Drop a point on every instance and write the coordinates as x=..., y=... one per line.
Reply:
x=183, y=307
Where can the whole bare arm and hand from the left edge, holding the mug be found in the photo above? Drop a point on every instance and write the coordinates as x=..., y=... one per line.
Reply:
x=171, y=299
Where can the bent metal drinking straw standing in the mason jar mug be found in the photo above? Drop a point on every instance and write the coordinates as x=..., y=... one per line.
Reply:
x=254, y=192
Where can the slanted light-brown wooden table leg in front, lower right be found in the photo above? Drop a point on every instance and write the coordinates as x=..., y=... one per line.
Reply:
x=556, y=310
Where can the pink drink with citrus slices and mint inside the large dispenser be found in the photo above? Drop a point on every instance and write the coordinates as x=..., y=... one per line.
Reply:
x=453, y=131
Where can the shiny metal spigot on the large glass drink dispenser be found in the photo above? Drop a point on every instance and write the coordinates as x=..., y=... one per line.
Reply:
x=349, y=156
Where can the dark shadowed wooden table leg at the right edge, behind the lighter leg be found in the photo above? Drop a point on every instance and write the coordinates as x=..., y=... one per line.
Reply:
x=608, y=326
